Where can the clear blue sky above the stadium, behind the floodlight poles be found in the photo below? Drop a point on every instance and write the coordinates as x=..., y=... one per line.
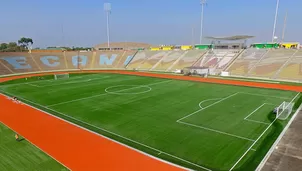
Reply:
x=83, y=22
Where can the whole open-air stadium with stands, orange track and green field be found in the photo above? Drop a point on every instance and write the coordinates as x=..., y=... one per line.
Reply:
x=225, y=105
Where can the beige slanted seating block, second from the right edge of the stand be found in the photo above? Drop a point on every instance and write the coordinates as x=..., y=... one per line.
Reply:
x=269, y=65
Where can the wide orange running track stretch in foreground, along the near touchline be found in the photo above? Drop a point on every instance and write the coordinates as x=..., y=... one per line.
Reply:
x=73, y=146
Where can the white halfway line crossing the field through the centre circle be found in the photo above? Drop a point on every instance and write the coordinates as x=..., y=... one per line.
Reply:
x=90, y=97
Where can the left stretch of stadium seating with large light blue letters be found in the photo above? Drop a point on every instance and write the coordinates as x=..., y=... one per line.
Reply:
x=17, y=62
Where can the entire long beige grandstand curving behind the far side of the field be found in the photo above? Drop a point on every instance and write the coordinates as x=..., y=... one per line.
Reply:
x=265, y=61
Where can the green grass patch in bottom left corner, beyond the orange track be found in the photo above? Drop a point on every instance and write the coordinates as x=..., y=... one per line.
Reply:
x=22, y=155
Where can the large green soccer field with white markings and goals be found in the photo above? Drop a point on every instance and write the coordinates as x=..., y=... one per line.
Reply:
x=201, y=126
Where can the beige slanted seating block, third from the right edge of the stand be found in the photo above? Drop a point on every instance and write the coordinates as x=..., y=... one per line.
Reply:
x=242, y=65
